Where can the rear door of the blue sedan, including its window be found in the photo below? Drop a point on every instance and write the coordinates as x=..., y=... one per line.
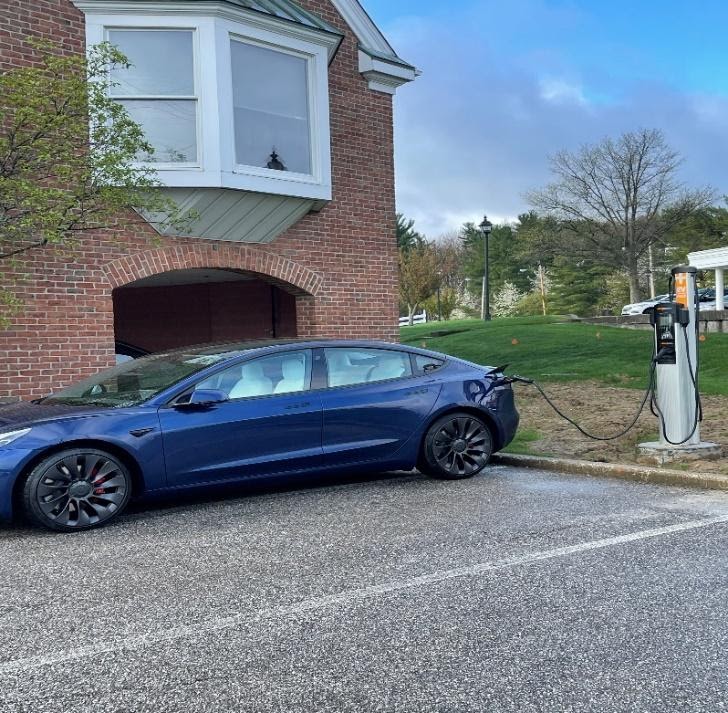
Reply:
x=373, y=403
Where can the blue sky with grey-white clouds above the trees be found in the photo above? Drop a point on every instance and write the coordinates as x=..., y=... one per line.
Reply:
x=505, y=83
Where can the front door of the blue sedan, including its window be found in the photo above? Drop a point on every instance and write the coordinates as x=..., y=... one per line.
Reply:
x=270, y=424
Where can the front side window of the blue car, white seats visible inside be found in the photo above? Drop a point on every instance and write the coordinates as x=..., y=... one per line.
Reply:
x=286, y=373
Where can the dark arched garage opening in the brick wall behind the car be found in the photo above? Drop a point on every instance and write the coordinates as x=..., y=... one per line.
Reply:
x=180, y=308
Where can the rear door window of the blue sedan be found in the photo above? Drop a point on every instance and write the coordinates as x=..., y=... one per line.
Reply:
x=350, y=366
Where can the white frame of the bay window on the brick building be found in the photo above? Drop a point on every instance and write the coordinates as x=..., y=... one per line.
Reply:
x=216, y=166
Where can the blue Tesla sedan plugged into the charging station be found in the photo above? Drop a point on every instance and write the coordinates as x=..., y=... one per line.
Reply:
x=205, y=416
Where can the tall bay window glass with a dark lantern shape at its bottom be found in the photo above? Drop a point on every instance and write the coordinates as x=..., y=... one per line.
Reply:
x=270, y=99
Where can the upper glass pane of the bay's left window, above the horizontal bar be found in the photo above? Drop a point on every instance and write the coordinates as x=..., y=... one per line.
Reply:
x=162, y=63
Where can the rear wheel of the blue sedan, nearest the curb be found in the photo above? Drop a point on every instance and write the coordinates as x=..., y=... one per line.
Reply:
x=455, y=447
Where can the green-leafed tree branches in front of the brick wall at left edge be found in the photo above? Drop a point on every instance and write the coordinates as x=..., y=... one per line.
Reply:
x=67, y=153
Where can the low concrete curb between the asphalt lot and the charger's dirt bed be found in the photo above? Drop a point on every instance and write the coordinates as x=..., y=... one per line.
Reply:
x=641, y=474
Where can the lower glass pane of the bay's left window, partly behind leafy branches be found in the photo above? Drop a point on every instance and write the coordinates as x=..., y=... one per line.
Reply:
x=170, y=127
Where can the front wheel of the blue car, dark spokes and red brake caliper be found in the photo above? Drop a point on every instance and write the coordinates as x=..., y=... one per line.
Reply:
x=76, y=489
